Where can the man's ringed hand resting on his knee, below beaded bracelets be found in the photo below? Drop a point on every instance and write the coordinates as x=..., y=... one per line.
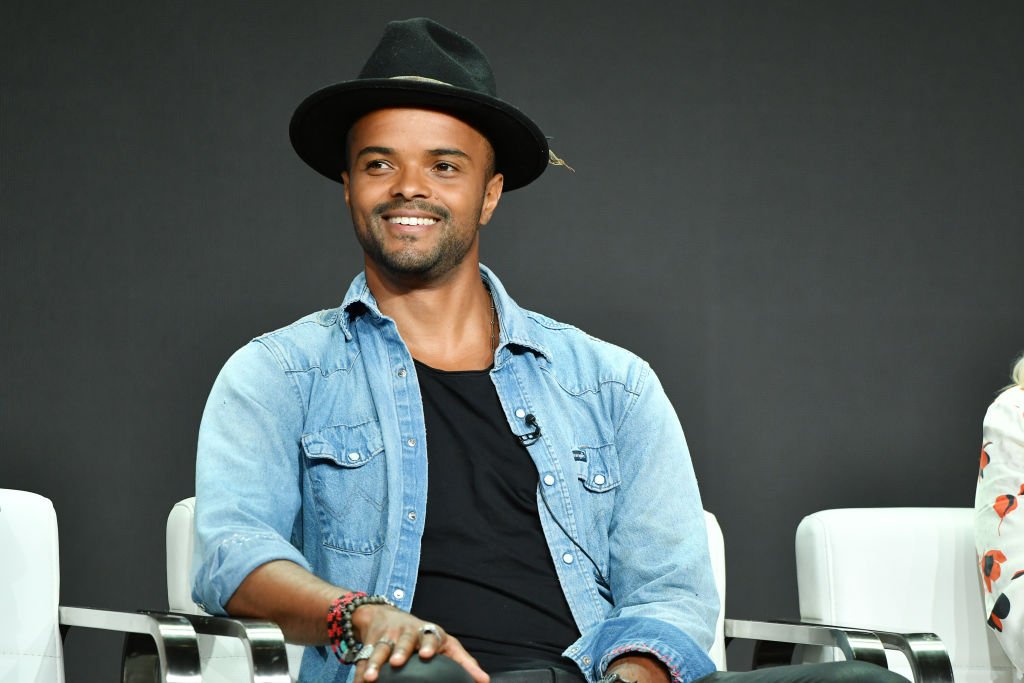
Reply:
x=396, y=635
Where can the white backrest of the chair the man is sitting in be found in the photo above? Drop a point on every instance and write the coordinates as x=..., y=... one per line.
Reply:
x=181, y=544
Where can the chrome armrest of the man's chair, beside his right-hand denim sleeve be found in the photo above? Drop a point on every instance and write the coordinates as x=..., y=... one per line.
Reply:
x=777, y=641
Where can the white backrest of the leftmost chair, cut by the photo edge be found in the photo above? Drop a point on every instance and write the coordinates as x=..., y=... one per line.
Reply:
x=30, y=587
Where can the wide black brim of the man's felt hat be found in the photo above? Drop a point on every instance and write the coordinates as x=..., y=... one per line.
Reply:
x=321, y=123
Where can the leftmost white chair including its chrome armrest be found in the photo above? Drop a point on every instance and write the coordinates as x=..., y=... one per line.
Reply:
x=32, y=622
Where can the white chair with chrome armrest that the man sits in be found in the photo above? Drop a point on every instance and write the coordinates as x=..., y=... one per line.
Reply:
x=226, y=664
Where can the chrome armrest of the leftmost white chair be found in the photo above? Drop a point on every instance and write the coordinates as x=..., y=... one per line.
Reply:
x=173, y=637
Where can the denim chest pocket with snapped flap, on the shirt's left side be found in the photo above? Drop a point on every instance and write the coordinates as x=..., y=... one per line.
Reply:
x=347, y=473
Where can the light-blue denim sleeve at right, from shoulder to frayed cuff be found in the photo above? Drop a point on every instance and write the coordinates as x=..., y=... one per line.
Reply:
x=665, y=601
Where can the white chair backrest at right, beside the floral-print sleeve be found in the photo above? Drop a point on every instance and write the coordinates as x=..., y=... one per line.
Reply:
x=902, y=570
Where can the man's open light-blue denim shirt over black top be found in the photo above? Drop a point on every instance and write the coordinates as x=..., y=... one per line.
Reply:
x=313, y=449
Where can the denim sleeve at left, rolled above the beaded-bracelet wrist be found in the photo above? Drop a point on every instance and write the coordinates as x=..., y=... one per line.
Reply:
x=248, y=505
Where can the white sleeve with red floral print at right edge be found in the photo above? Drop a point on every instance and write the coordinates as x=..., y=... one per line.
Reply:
x=999, y=521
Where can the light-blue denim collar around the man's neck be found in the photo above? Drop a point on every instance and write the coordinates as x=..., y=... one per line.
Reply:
x=517, y=328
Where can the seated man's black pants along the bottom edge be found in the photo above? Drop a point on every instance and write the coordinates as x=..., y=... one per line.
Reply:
x=443, y=670
